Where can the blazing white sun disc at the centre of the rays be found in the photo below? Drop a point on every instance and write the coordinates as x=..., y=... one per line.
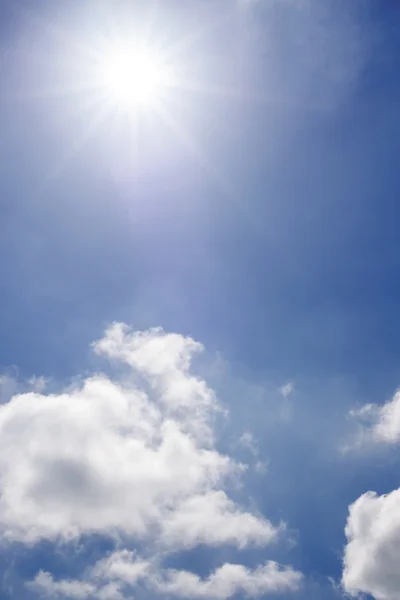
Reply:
x=133, y=77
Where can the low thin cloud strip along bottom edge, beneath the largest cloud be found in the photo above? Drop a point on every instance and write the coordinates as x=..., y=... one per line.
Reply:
x=122, y=570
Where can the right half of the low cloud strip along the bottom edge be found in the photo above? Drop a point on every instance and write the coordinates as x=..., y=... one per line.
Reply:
x=229, y=580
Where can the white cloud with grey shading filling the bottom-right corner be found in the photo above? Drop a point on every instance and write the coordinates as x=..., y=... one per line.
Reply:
x=371, y=559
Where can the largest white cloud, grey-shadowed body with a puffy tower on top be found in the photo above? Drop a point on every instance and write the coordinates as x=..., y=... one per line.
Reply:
x=111, y=458
